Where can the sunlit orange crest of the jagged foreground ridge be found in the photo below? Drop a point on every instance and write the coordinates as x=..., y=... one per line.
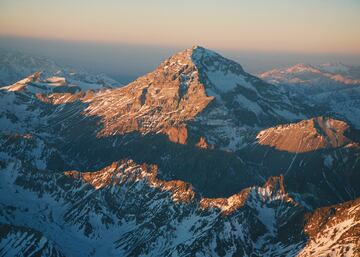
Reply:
x=128, y=171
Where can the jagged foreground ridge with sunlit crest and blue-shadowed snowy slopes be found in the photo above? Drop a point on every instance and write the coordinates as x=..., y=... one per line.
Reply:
x=111, y=209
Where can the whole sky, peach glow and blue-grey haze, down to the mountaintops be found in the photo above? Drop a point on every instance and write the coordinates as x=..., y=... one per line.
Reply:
x=125, y=38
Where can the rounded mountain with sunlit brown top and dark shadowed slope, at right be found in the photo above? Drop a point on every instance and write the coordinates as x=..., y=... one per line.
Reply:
x=318, y=157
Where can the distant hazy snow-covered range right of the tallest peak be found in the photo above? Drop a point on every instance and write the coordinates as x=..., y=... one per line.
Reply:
x=333, y=87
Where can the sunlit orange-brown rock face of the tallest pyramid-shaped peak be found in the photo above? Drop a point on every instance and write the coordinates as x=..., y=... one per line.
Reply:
x=160, y=102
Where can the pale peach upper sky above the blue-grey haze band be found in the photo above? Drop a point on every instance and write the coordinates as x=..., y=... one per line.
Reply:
x=303, y=26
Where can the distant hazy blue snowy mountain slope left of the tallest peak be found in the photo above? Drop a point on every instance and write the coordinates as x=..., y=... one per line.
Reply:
x=14, y=66
